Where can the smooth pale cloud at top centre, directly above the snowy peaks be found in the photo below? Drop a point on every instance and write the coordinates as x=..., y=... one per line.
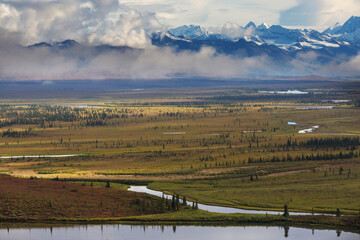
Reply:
x=213, y=12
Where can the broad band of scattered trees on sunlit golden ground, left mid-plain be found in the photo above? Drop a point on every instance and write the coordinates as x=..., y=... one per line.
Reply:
x=47, y=116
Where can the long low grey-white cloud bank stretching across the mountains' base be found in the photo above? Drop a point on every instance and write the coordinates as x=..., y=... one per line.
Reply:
x=84, y=62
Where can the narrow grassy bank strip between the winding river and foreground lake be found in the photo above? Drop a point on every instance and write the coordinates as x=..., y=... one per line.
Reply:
x=189, y=216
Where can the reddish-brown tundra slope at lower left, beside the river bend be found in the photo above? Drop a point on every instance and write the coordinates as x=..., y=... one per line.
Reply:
x=43, y=199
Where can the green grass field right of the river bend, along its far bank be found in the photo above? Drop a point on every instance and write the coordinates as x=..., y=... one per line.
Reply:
x=305, y=191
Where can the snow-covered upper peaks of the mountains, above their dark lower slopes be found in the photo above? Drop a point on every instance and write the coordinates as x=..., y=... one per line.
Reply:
x=287, y=39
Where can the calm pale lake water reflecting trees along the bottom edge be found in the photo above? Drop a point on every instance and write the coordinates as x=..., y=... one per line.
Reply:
x=138, y=232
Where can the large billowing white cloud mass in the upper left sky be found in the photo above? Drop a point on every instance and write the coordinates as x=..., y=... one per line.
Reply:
x=96, y=21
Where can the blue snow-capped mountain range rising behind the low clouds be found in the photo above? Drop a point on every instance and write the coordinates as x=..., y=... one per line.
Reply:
x=336, y=44
